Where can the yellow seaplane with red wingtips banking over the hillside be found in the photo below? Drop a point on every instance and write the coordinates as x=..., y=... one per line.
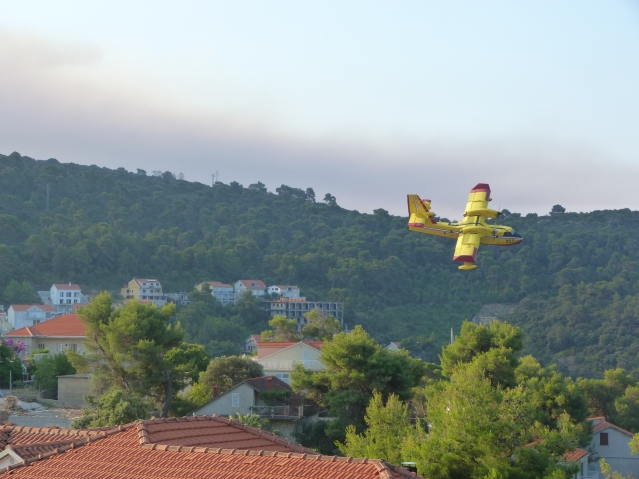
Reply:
x=470, y=232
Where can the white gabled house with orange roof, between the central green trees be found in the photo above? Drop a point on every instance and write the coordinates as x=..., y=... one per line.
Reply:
x=280, y=358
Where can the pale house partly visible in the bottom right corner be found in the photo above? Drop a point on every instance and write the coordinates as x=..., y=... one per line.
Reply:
x=613, y=444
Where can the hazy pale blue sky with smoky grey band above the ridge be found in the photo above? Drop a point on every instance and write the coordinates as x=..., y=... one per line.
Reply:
x=368, y=100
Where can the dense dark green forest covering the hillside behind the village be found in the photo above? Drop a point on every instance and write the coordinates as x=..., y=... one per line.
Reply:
x=575, y=278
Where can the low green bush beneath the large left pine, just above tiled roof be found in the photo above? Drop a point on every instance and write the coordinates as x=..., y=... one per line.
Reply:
x=111, y=409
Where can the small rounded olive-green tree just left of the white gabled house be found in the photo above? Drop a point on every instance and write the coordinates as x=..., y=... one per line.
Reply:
x=228, y=371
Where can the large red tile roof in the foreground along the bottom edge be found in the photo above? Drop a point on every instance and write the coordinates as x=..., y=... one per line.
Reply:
x=156, y=449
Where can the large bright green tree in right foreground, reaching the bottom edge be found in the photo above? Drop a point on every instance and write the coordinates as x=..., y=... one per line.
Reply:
x=477, y=430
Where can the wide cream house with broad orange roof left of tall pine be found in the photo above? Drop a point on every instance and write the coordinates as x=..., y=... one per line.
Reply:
x=58, y=334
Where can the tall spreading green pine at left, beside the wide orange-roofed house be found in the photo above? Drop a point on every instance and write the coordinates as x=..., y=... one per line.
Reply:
x=127, y=349
